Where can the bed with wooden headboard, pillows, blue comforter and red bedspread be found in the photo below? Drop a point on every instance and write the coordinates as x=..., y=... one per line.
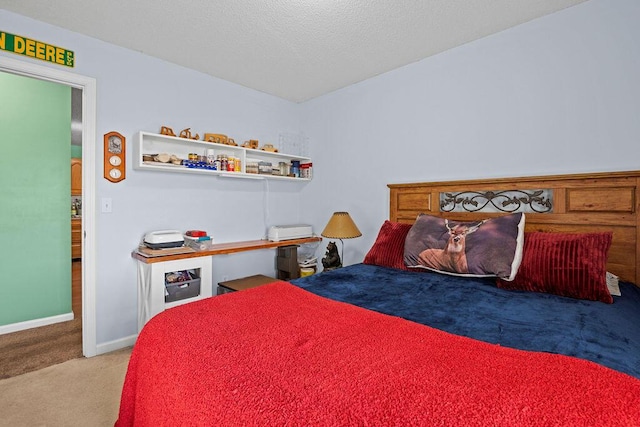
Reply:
x=382, y=343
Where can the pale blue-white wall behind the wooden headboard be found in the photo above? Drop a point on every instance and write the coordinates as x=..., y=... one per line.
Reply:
x=560, y=94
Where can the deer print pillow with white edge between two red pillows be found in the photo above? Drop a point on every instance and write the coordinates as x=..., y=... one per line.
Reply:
x=484, y=248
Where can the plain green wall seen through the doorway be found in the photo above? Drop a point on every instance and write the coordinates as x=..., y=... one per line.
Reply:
x=35, y=236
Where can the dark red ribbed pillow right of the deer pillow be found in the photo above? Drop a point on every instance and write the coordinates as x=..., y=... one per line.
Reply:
x=568, y=264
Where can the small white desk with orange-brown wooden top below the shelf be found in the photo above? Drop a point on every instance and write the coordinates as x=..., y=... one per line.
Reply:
x=152, y=270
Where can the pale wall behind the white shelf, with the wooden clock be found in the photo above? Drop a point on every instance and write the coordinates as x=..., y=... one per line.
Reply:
x=136, y=92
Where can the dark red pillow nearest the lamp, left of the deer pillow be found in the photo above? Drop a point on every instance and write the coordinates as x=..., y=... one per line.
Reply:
x=388, y=249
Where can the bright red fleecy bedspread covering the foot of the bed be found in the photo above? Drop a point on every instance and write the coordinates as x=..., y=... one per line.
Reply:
x=278, y=355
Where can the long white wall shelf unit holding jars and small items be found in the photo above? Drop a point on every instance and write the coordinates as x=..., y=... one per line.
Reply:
x=147, y=147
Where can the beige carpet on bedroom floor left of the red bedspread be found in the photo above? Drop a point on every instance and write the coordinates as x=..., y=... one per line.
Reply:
x=79, y=392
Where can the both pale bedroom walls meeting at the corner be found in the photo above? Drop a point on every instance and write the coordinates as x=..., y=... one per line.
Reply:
x=560, y=94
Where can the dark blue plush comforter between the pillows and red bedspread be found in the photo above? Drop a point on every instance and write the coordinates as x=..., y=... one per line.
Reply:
x=608, y=334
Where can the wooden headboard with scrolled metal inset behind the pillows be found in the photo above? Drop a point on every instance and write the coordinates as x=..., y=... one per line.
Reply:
x=569, y=203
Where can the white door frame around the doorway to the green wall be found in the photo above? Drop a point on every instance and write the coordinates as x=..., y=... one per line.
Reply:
x=88, y=87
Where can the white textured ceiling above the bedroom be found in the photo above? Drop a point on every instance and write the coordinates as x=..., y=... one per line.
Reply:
x=293, y=49
